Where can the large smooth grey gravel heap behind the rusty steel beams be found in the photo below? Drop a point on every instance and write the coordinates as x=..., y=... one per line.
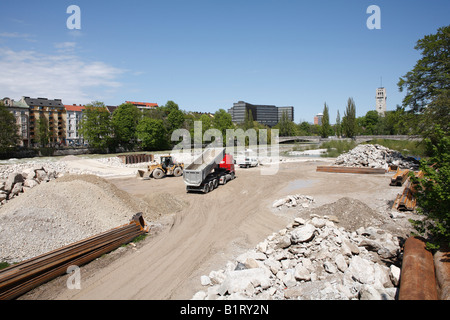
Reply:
x=58, y=213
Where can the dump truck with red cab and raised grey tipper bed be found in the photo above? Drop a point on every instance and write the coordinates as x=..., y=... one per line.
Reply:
x=213, y=168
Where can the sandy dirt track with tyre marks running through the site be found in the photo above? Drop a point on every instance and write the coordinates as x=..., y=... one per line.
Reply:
x=213, y=228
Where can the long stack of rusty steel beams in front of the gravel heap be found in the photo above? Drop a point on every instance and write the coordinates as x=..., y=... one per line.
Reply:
x=22, y=277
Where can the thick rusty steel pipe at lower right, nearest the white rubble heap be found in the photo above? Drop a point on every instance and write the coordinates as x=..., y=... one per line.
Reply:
x=418, y=278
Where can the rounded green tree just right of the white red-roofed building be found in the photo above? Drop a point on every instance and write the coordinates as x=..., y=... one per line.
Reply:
x=95, y=126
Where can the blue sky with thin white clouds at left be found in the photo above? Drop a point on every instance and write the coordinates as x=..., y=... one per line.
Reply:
x=208, y=54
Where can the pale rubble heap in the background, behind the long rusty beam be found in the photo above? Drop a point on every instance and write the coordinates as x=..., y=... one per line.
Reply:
x=375, y=156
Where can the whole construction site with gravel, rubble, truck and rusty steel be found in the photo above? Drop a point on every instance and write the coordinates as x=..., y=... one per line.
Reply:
x=211, y=228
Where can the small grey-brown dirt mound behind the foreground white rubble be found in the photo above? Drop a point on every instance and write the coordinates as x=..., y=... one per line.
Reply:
x=351, y=214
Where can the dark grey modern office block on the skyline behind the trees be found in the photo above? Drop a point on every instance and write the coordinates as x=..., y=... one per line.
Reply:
x=268, y=115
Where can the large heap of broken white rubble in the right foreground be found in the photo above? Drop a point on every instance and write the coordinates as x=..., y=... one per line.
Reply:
x=311, y=259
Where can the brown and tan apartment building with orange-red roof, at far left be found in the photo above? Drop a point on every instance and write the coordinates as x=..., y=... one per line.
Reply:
x=55, y=116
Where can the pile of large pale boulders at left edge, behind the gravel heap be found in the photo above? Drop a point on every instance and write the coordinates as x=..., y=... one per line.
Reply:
x=17, y=183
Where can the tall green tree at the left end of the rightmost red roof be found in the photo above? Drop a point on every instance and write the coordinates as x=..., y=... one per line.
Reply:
x=124, y=122
